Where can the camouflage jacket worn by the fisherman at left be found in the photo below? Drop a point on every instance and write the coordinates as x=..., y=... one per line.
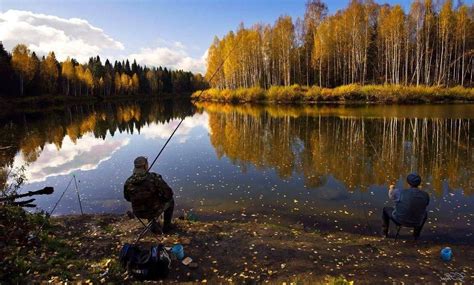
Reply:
x=148, y=193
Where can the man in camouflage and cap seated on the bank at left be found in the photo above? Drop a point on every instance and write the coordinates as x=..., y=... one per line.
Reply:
x=149, y=194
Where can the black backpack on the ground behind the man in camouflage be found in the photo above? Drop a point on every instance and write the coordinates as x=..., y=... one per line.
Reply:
x=149, y=263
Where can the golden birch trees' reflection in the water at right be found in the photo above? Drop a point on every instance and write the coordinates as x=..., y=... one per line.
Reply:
x=357, y=148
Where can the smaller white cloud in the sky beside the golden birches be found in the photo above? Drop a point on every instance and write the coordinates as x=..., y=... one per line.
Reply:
x=172, y=55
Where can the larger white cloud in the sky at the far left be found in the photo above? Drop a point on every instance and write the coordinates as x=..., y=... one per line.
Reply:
x=42, y=33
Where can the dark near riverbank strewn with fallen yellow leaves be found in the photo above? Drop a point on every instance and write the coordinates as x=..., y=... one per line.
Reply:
x=244, y=250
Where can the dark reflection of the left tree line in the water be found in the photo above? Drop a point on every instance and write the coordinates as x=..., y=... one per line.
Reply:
x=28, y=133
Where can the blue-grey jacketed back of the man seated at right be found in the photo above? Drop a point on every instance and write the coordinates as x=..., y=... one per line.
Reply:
x=410, y=208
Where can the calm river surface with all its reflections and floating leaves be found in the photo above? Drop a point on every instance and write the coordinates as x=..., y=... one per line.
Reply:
x=326, y=167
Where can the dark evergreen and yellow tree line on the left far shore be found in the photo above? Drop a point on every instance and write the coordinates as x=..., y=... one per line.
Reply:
x=23, y=73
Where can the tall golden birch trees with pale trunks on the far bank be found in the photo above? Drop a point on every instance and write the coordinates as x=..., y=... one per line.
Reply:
x=363, y=43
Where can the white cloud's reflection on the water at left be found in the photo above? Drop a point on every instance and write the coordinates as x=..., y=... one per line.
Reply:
x=85, y=154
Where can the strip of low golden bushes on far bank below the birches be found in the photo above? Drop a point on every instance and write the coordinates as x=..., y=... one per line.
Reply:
x=382, y=94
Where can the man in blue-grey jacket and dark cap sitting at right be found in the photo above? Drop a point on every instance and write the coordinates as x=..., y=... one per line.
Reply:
x=410, y=206
